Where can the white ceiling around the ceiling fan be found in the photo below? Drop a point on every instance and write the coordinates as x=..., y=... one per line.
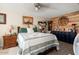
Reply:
x=54, y=9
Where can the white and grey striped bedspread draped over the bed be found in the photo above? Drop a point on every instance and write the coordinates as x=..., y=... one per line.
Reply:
x=36, y=42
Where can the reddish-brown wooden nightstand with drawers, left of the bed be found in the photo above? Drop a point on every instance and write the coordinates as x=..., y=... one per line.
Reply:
x=9, y=41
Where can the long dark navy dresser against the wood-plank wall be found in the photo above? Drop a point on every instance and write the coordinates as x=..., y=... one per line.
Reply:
x=65, y=36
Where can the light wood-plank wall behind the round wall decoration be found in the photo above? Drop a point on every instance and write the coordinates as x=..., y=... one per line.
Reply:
x=73, y=19
